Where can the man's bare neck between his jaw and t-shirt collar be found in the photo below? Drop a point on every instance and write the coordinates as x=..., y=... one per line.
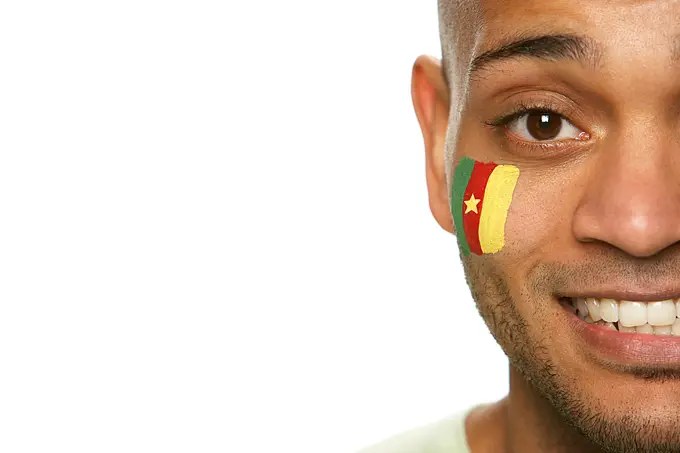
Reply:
x=523, y=422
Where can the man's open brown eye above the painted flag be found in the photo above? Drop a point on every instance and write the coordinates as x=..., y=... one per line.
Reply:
x=543, y=126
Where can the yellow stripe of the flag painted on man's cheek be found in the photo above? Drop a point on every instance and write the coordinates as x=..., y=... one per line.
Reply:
x=497, y=197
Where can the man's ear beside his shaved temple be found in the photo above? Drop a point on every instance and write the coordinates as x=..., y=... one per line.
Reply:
x=430, y=96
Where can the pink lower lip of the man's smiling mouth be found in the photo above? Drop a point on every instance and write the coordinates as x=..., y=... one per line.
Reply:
x=627, y=348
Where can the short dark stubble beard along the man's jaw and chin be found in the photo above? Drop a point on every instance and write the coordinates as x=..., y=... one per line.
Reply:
x=614, y=433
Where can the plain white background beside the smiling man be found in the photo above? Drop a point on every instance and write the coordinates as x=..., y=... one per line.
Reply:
x=214, y=230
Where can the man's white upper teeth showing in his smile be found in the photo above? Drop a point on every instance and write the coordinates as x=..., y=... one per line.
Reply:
x=630, y=314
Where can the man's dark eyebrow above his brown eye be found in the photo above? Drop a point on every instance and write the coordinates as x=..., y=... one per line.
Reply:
x=545, y=47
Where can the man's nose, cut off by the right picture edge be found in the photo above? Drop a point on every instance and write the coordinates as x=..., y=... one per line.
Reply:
x=632, y=199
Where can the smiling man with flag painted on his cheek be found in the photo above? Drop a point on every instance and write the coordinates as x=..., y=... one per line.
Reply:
x=571, y=248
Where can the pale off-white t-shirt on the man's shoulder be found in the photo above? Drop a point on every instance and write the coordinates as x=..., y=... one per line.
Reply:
x=444, y=436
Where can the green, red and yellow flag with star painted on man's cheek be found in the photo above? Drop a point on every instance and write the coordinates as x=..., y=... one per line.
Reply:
x=480, y=199
